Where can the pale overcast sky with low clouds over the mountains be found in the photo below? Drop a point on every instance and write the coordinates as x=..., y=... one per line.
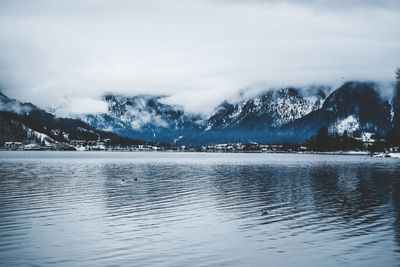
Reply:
x=199, y=52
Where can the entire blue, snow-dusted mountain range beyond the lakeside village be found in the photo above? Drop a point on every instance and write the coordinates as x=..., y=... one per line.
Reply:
x=273, y=116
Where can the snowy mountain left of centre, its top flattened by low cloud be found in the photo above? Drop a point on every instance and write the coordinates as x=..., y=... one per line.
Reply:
x=144, y=117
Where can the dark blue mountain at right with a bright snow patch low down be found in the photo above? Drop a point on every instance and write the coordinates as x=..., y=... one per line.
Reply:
x=355, y=107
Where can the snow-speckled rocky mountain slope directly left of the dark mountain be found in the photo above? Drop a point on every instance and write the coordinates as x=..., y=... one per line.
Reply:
x=269, y=110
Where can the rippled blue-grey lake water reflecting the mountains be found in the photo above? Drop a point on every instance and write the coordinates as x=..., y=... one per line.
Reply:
x=198, y=209
